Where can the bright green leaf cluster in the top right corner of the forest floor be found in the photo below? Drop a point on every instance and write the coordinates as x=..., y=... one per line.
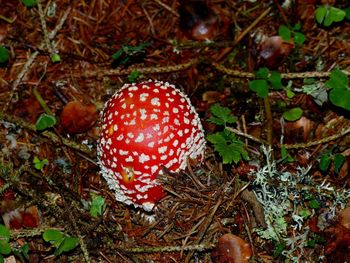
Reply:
x=327, y=15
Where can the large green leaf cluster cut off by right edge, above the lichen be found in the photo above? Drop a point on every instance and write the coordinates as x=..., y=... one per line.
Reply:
x=340, y=91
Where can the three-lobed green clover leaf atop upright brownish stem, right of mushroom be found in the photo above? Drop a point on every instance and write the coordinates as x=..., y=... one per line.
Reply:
x=265, y=80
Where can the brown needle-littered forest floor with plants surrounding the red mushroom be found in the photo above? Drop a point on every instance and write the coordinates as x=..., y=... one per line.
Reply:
x=272, y=64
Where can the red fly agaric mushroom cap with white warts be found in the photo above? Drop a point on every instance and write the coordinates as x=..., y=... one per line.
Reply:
x=145, y=127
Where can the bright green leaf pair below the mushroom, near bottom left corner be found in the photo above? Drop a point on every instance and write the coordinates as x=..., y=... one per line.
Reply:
x=62, y=242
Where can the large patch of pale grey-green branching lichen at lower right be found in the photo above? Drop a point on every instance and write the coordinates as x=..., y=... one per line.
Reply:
x=283, y=196
